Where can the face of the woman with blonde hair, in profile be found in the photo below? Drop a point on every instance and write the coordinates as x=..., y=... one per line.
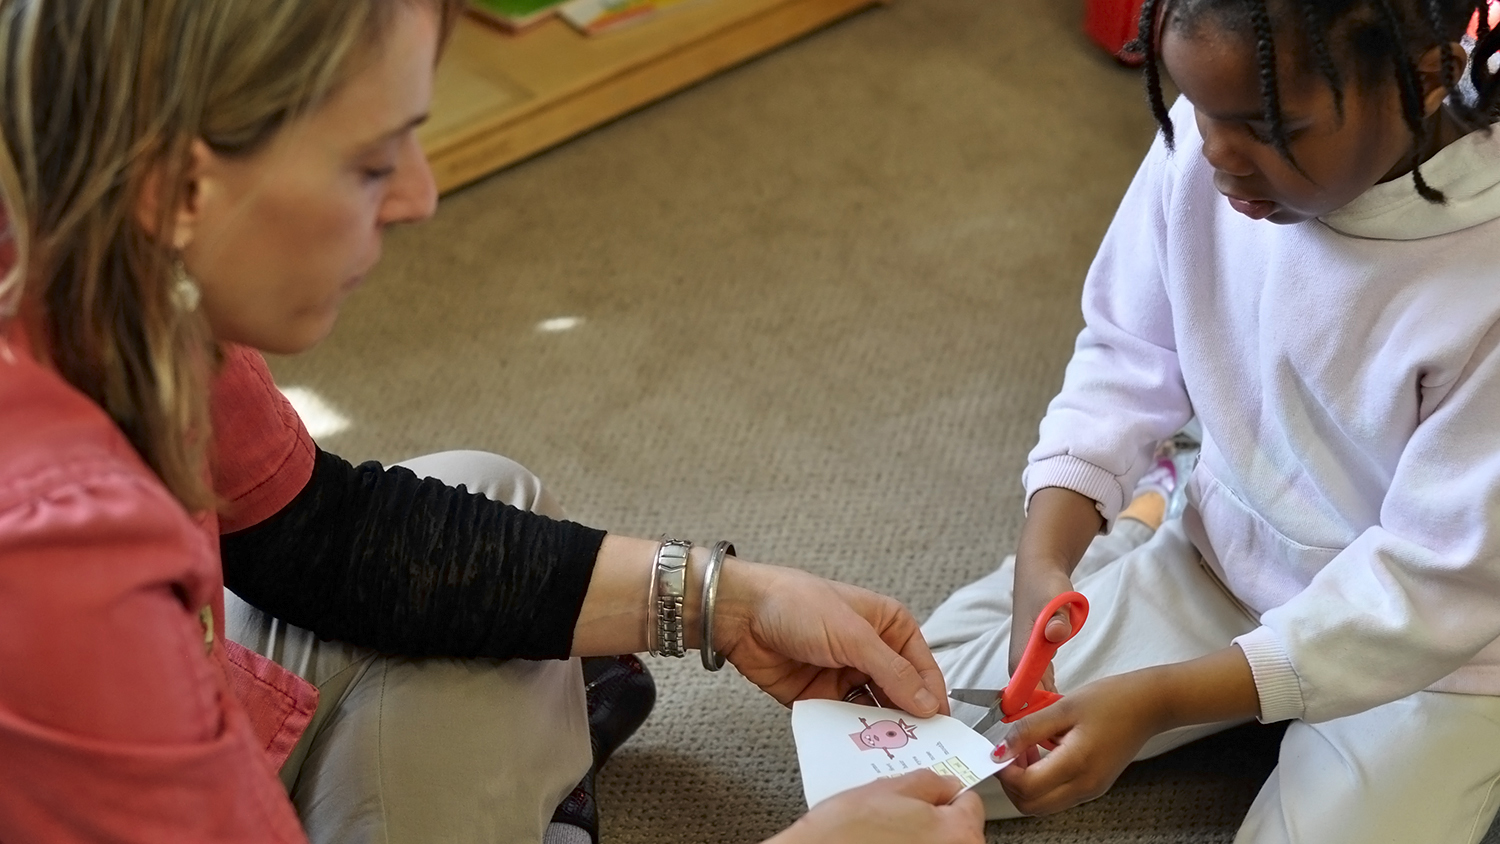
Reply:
x=278, y=239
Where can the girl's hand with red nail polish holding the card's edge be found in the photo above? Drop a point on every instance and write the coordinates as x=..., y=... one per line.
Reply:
x=1099, y=731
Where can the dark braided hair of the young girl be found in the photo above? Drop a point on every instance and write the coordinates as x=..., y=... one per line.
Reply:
x=1379, y=35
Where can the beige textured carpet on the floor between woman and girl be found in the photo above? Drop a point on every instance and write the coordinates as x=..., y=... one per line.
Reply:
x=823, y=302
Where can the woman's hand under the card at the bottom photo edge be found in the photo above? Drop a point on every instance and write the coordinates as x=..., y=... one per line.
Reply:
x=893, y=812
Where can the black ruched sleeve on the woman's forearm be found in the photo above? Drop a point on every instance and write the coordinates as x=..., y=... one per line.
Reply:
x=382, y=558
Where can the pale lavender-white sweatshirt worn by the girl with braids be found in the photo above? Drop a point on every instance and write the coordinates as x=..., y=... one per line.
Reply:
x=1348, y=377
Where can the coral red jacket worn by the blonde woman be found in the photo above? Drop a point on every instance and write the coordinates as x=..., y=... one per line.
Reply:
x=125, y=716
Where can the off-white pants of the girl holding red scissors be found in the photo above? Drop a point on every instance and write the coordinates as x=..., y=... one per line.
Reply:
x=1423, y=770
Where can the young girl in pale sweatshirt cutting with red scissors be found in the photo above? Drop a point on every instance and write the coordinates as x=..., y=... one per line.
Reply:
x=1307, y=263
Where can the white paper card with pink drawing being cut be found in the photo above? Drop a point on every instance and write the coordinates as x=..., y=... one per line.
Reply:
x=844, y=746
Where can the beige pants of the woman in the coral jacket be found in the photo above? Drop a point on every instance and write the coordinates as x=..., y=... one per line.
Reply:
x=431, y=750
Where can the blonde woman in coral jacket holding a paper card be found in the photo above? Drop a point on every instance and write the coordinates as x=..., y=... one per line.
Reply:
x=194, y=182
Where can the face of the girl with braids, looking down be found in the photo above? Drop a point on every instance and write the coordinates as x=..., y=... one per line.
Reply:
x=1340, y=158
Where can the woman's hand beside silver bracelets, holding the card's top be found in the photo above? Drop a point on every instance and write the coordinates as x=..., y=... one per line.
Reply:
x=799, y=636
